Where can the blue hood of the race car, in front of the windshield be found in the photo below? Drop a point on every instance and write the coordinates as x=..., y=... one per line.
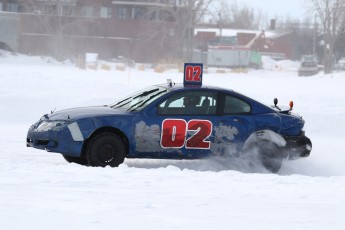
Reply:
x=85, y=112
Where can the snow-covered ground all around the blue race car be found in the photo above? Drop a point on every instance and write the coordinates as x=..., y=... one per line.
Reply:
x=39, y=190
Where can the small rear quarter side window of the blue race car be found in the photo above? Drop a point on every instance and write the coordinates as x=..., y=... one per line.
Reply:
x=233, y=105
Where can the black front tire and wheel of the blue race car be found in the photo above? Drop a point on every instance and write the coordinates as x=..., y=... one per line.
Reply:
x=105, y=149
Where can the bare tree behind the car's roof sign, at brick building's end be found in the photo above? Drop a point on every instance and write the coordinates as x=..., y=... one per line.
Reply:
x=178, y=34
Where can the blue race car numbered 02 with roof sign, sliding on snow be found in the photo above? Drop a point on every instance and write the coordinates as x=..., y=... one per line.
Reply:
x=173, y=121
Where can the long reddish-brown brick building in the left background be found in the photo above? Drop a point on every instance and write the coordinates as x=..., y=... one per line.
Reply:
x=143, y=30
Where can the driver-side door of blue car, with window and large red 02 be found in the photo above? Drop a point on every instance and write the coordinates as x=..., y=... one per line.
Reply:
x=179, y=126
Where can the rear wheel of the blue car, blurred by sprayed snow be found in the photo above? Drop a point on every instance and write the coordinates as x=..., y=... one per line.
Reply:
x=270, y=156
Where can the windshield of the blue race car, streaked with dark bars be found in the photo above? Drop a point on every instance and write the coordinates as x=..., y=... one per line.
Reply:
x=139, y=100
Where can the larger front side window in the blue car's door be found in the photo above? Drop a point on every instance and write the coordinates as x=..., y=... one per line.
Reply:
x=195, y=102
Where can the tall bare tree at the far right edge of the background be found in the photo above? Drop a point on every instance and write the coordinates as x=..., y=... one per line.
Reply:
x=332, y=15
